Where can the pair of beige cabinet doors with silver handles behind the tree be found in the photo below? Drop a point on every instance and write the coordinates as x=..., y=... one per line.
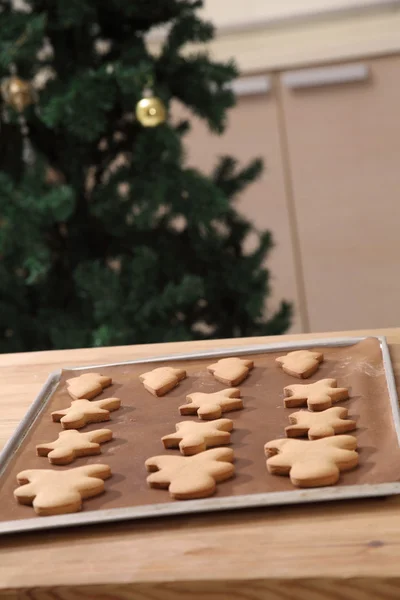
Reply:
x=330, y=193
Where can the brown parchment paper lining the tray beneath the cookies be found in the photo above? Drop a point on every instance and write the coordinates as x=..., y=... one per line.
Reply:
x=143, y=419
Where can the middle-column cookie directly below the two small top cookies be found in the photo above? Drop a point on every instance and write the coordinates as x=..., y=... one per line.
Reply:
x=211, y=406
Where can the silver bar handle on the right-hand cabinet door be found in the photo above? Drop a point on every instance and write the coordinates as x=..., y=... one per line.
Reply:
x=306, y=78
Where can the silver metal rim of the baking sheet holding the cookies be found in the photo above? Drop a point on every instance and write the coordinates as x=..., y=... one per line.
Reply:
x=209, y=504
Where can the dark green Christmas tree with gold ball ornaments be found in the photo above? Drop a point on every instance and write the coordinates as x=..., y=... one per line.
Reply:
x=106, y=236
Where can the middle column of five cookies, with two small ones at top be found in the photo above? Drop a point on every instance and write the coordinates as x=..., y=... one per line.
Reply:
x=197, y=472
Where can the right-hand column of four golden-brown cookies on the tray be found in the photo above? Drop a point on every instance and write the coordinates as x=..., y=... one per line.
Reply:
x=318, y=461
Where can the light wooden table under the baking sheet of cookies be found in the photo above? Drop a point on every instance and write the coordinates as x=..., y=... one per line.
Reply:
x=345, y=550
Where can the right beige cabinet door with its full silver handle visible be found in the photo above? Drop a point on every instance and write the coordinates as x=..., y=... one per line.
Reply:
x=343, y=144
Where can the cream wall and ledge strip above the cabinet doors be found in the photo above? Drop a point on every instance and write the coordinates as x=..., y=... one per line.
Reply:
x=259, y=44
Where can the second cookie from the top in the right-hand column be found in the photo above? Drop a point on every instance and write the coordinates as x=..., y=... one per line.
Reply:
x=318, y=396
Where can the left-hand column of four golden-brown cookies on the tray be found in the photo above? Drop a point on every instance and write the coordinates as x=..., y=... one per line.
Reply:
x=51, y=491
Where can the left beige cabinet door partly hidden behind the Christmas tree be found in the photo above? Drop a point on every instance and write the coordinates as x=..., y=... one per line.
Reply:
x=252, y=131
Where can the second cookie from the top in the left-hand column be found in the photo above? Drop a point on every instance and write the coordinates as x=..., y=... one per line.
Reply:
x=82, y=412
